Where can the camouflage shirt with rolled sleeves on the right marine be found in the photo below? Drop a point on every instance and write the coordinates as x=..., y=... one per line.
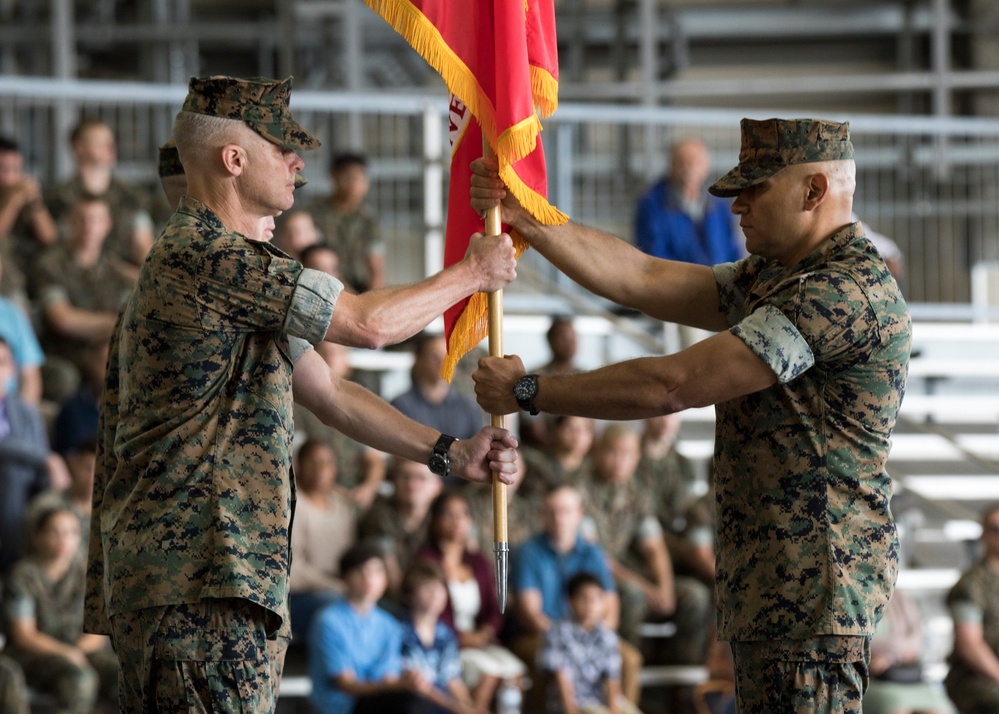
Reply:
x=806, y=540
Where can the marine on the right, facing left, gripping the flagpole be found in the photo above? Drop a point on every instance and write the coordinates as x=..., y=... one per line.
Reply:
x=807, y=373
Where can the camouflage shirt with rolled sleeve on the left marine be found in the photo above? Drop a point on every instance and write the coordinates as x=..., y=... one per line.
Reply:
x=192, y=492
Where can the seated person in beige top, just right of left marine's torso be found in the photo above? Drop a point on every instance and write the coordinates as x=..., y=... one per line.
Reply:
x=323, y=529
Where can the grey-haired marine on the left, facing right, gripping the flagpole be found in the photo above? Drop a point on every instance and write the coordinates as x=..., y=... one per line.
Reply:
x=193, y=493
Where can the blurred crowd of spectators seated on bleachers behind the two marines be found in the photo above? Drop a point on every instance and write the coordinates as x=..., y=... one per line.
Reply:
x=392, y=567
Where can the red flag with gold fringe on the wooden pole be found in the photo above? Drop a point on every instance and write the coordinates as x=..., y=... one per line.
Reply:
x=499, y=60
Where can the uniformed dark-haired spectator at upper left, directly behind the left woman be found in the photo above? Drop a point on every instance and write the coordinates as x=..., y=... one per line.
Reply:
x=95, y=155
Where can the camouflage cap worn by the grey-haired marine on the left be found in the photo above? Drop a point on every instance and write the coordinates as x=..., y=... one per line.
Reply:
x=260, y=102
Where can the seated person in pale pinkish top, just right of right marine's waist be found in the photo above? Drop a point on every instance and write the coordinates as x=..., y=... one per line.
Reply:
x=897, y=685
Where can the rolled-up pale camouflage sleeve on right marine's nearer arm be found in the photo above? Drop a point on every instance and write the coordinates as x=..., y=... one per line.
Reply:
x=775, y=339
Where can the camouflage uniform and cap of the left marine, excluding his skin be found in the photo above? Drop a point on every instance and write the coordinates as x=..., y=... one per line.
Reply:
x=193, y=490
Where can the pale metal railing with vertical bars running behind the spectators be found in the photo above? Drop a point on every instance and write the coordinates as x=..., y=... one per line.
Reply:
x=931, y=184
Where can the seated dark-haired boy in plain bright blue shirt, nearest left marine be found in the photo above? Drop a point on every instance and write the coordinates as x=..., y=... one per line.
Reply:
x=354, y=647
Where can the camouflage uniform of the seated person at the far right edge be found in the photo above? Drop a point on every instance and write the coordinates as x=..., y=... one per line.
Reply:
x=975, y=599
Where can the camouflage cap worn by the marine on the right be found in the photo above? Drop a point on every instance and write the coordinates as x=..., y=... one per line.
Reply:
x=770, y=145
